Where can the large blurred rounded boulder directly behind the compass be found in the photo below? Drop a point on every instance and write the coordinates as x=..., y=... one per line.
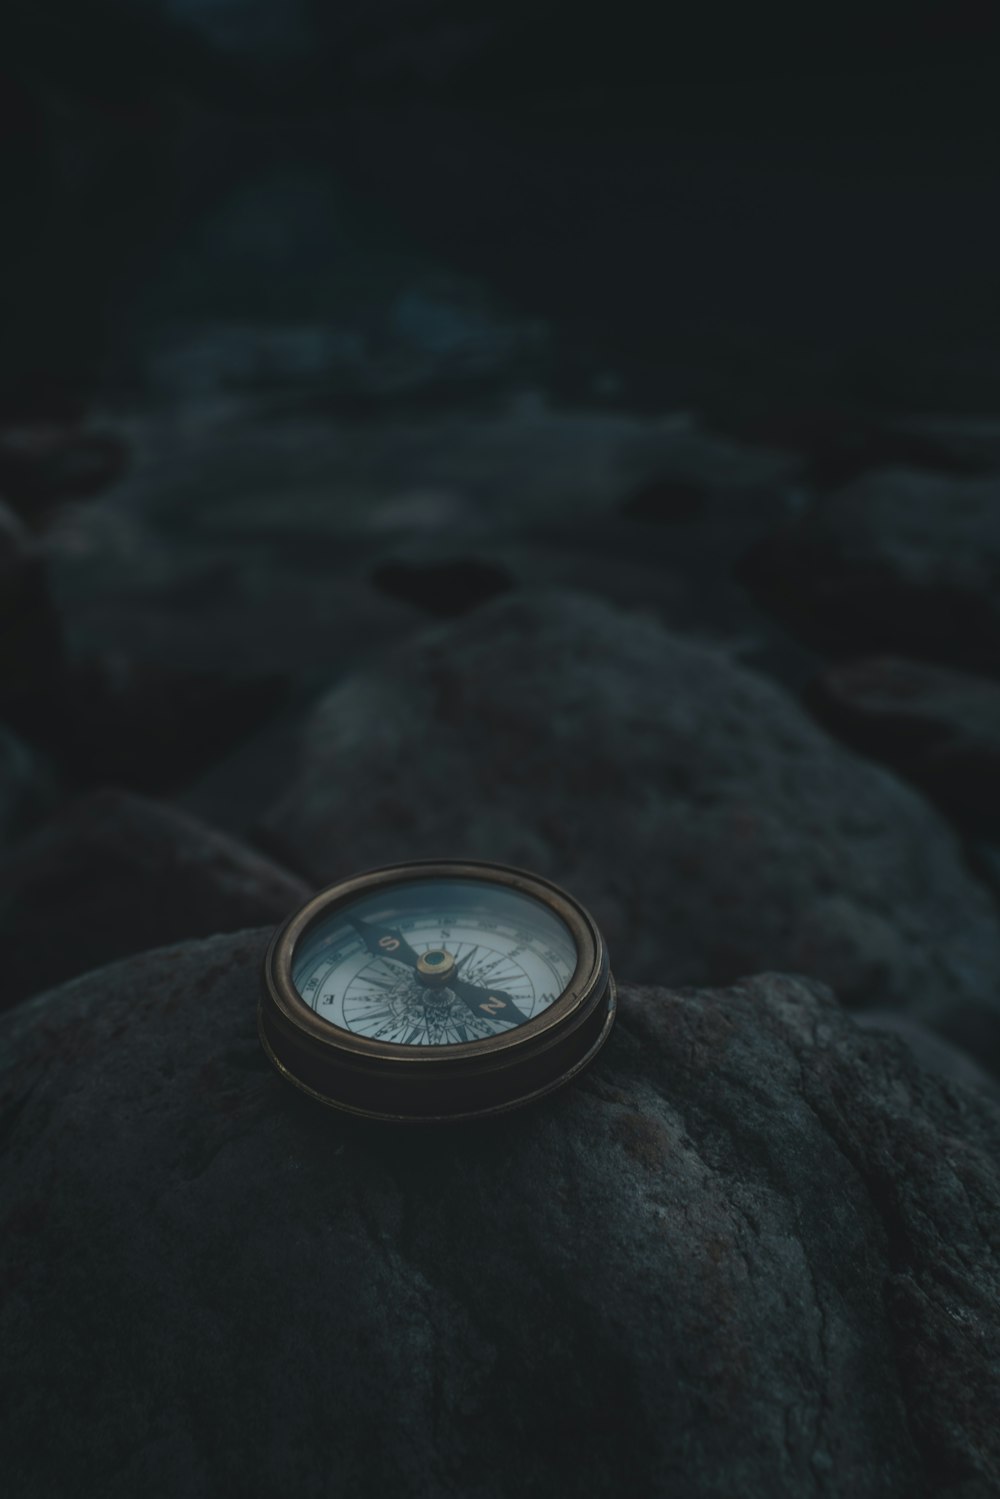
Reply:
x=708, y=822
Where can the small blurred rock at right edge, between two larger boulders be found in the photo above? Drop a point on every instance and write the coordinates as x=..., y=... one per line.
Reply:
x=938, y=726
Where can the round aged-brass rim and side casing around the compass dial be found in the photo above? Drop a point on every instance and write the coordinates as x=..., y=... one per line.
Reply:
x=325, y=1061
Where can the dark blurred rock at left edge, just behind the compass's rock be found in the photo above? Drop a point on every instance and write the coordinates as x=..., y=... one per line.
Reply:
x=115, y=875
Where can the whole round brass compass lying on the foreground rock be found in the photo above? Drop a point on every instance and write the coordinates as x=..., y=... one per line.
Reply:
x=436, y=992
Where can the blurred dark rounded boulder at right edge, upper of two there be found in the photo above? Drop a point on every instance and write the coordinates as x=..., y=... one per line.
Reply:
x=900, y=560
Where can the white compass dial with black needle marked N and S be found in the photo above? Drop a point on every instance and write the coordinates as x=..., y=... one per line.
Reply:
x=436, y=963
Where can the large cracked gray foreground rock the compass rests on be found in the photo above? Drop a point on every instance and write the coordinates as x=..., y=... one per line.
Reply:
x=747, y=1254
